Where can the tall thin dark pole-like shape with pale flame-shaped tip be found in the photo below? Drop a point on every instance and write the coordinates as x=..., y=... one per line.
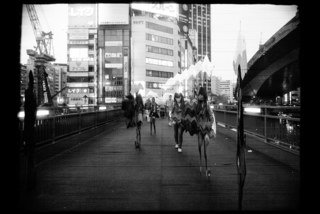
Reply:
x=240, y=68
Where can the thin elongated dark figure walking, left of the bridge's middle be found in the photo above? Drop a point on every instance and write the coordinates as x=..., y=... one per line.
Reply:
x=139, y=107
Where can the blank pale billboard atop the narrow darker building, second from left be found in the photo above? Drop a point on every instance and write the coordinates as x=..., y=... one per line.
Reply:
x=113, y=14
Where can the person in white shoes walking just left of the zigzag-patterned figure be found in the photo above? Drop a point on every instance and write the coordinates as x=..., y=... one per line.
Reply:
x=177, y=116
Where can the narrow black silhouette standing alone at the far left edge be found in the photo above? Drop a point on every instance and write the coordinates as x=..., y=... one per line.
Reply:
x=30, y=109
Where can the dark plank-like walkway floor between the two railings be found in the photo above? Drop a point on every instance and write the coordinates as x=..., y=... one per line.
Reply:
x=100, y=170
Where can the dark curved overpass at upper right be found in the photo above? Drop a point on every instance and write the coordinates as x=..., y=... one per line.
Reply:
x=275, y=69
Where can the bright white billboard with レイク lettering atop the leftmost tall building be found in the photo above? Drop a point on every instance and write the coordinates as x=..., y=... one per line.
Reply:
x=82, y=15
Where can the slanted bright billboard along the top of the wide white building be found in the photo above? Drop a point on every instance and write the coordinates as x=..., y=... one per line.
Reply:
x=163, y=9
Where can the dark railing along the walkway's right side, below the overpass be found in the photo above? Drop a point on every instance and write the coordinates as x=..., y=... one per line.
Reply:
x=275, y=125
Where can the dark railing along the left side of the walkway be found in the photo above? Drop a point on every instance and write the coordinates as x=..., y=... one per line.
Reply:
x=54, y=127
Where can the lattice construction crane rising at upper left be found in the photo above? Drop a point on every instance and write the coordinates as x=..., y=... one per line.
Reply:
x=43, y=54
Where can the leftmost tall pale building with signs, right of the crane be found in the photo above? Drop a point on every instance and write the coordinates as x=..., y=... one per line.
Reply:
x=82, y=54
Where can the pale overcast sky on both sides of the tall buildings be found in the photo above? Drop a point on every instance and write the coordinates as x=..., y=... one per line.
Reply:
x=258, y=22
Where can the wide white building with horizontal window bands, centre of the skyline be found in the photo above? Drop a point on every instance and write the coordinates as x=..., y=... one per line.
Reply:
x=155, y=46
